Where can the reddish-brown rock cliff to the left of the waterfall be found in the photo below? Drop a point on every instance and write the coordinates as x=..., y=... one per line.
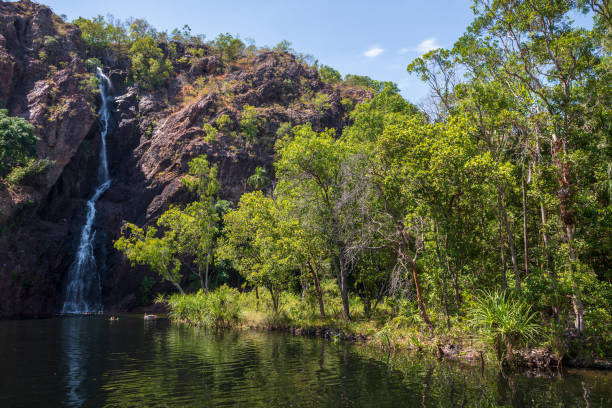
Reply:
x=43, y=80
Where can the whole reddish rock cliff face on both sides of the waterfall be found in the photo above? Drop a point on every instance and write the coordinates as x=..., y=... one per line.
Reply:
x=155, y=137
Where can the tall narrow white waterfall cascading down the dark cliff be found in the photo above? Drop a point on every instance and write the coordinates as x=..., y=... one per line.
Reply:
x=83, y=289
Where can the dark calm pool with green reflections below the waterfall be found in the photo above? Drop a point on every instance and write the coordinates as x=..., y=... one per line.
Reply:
x=93, y=362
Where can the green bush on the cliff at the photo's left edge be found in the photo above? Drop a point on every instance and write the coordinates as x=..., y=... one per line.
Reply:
x=17, y=144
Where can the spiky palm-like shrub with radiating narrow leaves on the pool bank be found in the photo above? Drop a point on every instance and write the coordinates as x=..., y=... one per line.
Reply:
x=504, y=322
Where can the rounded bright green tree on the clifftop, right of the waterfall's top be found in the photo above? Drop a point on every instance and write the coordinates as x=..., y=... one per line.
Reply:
x=150, y=67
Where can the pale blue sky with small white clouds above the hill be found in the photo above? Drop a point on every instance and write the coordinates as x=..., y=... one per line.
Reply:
x=374, y=38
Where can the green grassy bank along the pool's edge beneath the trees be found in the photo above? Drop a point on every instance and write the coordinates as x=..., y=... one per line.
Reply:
x=390, y=326
